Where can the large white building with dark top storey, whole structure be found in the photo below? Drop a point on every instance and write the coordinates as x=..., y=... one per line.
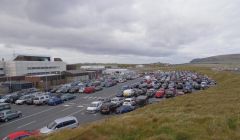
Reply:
x=33, y=65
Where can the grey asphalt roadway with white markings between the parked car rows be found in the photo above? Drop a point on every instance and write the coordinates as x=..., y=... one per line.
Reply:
x=36, y=117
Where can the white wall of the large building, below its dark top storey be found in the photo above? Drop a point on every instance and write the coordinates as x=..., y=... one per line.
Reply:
x=18, y=68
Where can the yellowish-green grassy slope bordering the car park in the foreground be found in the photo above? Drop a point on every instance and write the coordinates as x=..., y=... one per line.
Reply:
x=212, y=114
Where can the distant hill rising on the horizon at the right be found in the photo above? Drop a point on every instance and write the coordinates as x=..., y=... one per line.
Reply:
x=220, y=59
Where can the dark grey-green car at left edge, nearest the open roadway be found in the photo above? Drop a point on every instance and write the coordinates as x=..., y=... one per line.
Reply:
x=7, y=115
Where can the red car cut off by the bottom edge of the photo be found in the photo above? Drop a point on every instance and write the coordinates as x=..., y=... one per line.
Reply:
x=19, y=135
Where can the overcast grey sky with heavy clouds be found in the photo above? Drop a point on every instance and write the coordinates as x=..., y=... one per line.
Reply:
x=122, y=31
